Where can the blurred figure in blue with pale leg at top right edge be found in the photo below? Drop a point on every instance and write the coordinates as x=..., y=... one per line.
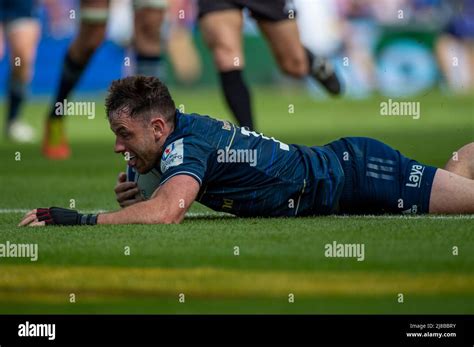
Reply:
x=455, y=48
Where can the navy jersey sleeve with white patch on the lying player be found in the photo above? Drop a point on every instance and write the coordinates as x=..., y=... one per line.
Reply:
x=185, y=156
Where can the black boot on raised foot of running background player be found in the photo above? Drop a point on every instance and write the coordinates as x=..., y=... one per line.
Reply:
x=322, y=71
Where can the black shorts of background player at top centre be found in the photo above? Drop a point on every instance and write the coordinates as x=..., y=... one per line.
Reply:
x=269, y=10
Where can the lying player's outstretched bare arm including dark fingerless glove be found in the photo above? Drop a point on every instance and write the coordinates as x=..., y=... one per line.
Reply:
x=168, y=205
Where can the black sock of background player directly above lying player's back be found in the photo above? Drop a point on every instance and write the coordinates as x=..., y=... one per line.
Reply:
x=237, y=96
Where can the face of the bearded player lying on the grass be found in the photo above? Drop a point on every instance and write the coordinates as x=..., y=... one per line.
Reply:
x=137, y=141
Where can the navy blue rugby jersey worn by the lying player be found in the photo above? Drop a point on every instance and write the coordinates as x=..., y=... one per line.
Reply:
x=248, y=174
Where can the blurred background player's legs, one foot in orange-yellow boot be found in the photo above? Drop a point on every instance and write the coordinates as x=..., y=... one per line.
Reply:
x=94, y=14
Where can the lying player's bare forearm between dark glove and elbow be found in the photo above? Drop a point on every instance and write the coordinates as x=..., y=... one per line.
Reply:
x=146, y=212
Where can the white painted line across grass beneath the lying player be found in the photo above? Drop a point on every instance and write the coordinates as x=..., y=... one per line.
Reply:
x=223, y=214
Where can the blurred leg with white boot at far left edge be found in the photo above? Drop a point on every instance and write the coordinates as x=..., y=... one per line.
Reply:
x=21, y=30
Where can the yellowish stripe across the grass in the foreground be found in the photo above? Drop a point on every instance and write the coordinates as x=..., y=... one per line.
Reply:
x=222, y=283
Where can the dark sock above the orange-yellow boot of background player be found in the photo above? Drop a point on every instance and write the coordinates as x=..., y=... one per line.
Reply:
x=70, y=75
